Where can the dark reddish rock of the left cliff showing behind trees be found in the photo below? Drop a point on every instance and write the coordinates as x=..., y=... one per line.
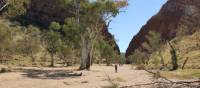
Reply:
x=46, y=11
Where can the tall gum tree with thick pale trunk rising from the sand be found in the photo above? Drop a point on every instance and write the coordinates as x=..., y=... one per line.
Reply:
x=91, y=17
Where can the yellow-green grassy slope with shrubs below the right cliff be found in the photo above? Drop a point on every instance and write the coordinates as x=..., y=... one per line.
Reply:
x=176, y=51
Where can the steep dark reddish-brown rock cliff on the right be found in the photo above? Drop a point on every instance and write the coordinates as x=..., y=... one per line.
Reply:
x=176, y=17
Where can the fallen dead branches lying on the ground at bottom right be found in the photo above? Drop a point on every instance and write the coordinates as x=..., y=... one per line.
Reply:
x=161, y=82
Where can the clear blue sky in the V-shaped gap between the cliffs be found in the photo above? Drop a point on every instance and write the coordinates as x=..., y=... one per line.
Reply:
x=128, y=23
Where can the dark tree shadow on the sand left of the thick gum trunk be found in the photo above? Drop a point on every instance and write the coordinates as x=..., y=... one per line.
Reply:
x=50, y=74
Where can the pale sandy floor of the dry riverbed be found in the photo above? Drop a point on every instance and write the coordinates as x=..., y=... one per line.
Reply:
x=56, y=78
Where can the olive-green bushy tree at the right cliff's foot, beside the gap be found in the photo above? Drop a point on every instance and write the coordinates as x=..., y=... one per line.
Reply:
x=150, y=53
